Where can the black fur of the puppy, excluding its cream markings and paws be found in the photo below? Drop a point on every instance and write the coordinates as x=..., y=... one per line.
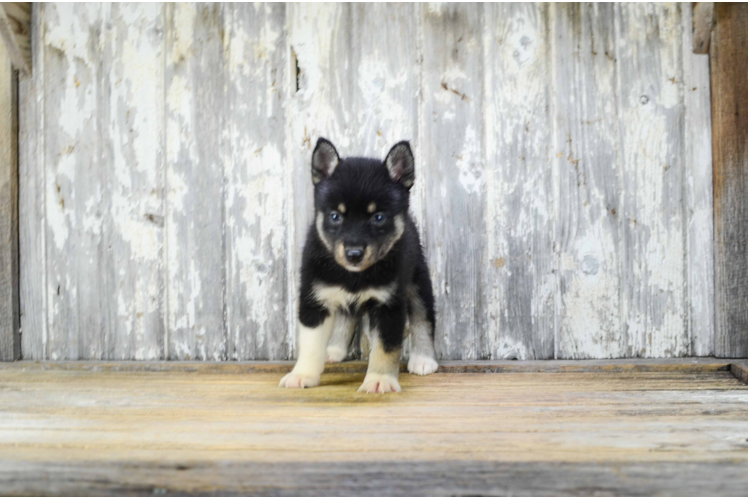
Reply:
x=355, y=183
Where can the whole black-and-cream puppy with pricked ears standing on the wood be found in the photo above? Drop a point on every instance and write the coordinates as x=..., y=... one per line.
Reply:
x=363, y=258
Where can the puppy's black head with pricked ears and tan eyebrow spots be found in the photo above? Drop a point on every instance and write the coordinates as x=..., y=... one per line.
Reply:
x=361, y=204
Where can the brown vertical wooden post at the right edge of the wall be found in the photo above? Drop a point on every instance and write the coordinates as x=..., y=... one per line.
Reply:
x=730, y=146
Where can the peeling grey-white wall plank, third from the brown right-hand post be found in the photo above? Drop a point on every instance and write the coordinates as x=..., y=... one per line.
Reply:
x=587, y=145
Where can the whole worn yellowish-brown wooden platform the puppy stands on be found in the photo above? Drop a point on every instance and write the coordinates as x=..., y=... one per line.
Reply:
x=625, y=427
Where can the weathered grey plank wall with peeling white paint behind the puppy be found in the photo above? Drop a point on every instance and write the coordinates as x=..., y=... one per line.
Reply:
x=564, y=182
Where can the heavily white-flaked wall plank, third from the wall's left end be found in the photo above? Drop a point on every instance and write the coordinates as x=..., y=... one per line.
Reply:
x=130, y=213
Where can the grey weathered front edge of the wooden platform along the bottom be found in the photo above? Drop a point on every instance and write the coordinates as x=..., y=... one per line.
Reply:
x=382, y=478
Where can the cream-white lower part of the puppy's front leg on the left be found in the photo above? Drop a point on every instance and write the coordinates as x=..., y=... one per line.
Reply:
x=312, y=354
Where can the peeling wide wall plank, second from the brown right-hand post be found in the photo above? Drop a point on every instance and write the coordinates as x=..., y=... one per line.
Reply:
x=651, y=113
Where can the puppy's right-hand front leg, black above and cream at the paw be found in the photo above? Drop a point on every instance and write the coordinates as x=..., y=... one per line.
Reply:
x=386, y=335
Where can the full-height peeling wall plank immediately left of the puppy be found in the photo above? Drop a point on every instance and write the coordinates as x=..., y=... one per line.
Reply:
x=255, y=160
